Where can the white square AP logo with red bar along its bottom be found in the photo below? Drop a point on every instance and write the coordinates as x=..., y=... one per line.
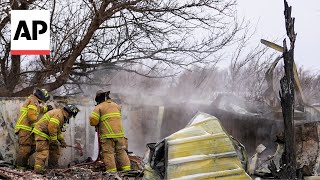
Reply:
x=30, y=32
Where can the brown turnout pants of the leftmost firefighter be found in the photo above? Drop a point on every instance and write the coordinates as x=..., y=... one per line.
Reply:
x=26, y=148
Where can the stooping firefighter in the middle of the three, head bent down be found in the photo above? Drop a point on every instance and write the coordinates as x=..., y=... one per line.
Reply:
x=48, y=136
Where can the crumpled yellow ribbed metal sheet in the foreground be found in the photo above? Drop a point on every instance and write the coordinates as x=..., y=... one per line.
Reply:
x=202, y=150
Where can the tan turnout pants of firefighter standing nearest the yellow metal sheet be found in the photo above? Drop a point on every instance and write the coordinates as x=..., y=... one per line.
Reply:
x=113, y=153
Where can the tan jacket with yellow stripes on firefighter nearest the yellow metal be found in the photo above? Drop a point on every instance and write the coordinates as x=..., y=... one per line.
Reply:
x=107, y=116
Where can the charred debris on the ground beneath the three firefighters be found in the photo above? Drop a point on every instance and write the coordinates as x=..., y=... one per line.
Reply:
x=84, y=170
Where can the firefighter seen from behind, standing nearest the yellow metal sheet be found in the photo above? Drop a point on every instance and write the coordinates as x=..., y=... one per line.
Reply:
x=107, y=117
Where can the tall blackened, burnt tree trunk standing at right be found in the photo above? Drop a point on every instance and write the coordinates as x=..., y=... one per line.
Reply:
x=288, y=169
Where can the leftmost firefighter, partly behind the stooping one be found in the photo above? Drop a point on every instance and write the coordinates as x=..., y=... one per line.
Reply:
x=27, y=118
